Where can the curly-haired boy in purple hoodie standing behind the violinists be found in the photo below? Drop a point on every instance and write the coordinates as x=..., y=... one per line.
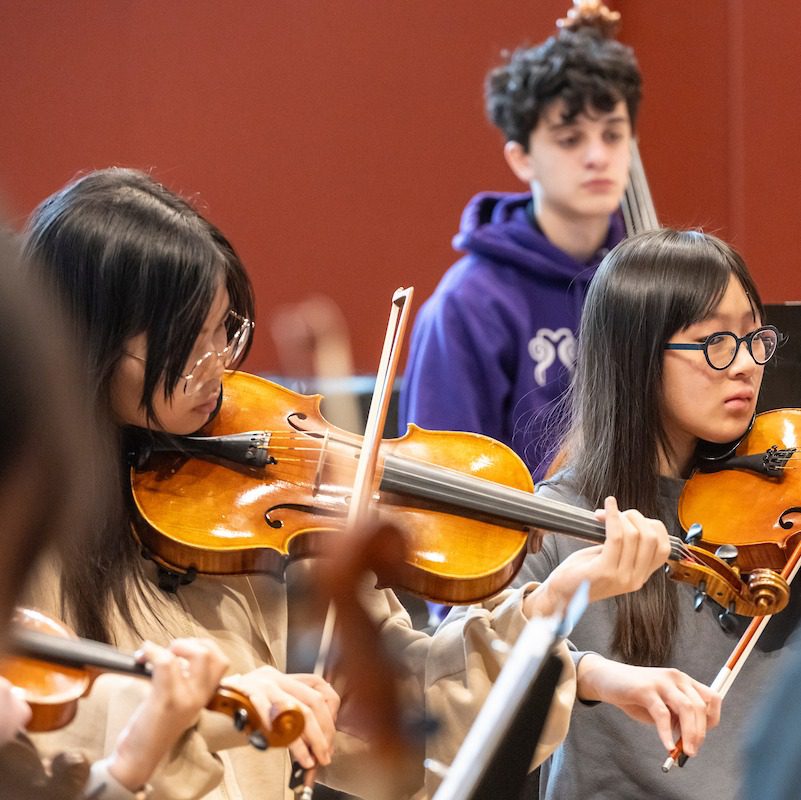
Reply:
x=493, y=348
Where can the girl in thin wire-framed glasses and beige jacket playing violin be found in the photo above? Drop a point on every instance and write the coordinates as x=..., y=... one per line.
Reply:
x=163, y=305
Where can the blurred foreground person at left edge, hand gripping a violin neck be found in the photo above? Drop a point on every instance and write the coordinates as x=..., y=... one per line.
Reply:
x=47, y=451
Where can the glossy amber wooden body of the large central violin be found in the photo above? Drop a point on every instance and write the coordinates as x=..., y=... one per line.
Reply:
x=228, y=519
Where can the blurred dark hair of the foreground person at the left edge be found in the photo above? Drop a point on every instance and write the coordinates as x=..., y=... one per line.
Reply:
x=50, y=479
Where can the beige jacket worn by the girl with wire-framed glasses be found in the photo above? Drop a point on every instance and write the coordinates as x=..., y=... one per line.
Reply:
x=452, y=674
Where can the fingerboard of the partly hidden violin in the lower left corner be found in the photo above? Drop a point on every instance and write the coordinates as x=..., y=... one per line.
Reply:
x=77, y=653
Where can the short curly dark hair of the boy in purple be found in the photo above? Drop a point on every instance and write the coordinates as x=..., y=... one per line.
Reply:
x=582, y=68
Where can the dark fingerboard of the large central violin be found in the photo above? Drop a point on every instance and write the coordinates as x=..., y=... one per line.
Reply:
x=501, y=505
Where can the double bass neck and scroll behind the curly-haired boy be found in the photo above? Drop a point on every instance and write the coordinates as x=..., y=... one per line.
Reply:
x=639, y=213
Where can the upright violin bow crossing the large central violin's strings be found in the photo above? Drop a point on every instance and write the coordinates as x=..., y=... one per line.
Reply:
x=358, y=510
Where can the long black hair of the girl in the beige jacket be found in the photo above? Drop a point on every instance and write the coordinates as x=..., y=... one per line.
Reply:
x=128, y=256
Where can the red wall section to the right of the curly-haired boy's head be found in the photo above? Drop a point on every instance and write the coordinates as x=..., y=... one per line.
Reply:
x=720, y=129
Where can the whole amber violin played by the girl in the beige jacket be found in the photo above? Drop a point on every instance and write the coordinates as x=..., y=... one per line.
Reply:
x=229, y=502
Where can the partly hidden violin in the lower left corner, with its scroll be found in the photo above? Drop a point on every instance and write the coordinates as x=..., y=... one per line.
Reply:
x=55, y=669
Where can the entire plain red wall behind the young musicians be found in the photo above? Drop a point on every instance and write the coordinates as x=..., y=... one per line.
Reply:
x=336, y=143
